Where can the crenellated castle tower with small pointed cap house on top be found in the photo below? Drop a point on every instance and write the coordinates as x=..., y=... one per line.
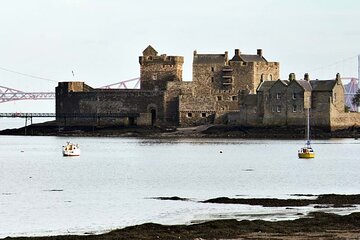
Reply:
x=156, y=70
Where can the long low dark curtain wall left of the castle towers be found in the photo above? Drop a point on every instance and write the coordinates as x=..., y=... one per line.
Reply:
x=104, y=102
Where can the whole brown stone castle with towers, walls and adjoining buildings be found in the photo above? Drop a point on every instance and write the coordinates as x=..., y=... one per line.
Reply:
x=242, y=90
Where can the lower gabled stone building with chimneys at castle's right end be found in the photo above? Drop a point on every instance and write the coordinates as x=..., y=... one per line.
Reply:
x=283, y=103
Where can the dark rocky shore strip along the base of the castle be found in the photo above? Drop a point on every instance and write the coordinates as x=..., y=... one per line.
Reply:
x=209, y=131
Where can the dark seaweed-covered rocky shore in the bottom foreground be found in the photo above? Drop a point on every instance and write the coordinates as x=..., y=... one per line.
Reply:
x=317, y=225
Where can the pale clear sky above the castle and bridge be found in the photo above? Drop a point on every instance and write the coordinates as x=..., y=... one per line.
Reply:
x=100, y=40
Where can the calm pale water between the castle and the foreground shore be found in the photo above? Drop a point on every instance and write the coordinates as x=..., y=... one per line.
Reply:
x=113, y=183
